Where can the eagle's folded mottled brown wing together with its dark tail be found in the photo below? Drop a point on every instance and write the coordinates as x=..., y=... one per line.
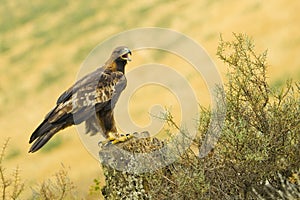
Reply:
x=79, y=103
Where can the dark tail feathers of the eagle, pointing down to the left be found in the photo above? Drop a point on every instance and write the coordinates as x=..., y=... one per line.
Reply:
x=42, y=134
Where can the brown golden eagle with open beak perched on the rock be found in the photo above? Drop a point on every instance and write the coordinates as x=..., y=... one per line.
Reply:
x=91, y=100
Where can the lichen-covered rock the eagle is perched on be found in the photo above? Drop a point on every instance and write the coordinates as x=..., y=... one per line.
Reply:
x=119, y=163
